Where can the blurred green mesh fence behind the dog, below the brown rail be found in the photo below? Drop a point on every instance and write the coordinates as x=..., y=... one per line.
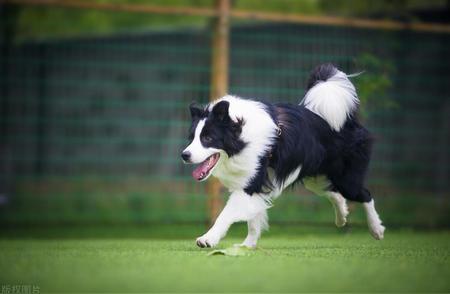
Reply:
x=92, y=128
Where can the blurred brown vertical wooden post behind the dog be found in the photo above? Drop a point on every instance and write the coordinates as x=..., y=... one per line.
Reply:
x=219, y=86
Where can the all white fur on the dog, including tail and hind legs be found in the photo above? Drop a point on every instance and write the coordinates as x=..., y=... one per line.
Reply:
x=333, y=100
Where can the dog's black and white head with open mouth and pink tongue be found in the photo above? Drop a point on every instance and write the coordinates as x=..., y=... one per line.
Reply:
x=214, y=137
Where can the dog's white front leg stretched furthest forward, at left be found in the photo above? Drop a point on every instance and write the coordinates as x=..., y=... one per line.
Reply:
x=240, y=207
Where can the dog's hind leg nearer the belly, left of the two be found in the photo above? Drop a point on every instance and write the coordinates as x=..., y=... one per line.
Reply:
x=321, y=187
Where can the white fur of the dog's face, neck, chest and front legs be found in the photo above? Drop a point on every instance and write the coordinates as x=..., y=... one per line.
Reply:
x=236, y=172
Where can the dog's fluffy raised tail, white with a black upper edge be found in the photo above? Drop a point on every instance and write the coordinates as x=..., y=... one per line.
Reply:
x=331, y=95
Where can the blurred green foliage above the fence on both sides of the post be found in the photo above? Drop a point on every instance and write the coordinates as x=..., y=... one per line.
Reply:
x=43, y=22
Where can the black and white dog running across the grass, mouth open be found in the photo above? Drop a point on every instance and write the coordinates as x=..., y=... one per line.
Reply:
x=258, y=149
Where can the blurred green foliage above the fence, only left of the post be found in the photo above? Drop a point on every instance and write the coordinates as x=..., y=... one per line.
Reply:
x=41, y=22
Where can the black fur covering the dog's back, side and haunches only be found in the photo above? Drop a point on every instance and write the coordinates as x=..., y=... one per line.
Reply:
x=306, y=140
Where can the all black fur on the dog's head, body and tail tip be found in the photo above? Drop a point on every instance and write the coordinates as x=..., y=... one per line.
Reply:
x=306, y=140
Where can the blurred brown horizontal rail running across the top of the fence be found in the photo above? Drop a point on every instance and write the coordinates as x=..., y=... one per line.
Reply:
x=242, y=14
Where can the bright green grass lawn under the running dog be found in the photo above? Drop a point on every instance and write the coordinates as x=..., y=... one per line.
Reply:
x=290, y=259
